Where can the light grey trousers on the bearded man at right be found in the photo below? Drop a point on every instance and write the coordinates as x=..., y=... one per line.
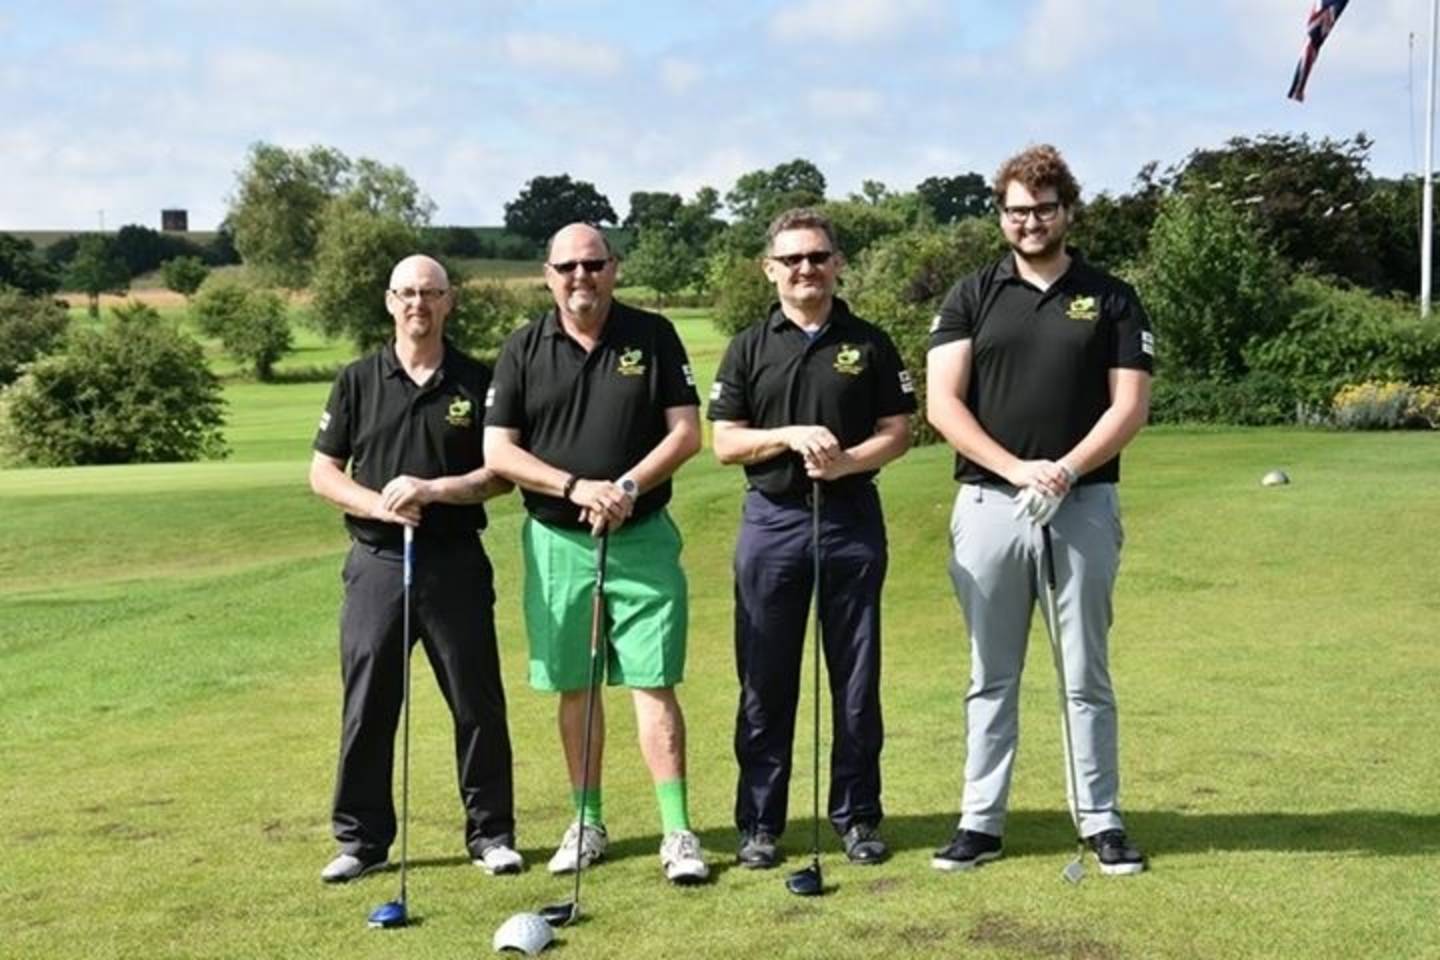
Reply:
x=999, y=576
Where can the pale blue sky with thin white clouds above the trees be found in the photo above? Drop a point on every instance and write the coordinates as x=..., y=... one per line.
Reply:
x=126, y=107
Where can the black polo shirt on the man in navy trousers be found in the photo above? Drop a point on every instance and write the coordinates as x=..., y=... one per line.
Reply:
x=846, y=379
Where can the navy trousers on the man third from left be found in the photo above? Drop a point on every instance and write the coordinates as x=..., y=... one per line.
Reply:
x=773, y=598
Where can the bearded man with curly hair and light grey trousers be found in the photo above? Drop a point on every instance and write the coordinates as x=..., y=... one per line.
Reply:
x=1039, y=376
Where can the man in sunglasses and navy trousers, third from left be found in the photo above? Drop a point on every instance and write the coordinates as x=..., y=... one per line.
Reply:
x=810, y=398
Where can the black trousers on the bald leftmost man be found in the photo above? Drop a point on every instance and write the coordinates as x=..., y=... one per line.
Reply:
x=453, y=617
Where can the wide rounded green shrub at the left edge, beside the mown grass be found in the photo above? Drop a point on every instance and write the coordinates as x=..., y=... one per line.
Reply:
x=133, y=392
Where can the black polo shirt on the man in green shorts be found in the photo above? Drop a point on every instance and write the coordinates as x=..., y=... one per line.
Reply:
x=598, y=414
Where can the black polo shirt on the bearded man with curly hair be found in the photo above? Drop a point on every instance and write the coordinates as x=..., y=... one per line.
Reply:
x=1042, y=359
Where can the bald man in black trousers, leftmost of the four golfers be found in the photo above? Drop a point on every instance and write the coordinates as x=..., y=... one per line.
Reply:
x=407, y=421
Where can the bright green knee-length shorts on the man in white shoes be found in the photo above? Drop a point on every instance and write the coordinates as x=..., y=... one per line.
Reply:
x=644, y=595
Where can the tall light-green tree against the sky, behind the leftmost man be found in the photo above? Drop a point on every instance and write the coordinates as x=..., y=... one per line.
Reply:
x=282, y=198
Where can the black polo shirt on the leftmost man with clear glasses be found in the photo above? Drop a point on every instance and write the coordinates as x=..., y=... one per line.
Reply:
x=387, y=425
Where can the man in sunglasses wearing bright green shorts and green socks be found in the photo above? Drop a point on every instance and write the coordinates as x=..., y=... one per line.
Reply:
x=594, y=408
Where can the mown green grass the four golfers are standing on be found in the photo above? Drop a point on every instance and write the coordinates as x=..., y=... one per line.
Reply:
x=169, y=705
